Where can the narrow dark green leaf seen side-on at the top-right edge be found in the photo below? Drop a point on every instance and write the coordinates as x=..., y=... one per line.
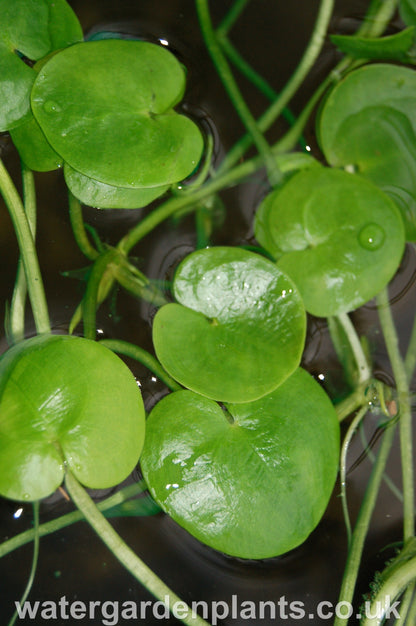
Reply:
x=395, y=47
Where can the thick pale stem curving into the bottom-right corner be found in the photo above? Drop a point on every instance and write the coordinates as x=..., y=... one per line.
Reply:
x=391, y=588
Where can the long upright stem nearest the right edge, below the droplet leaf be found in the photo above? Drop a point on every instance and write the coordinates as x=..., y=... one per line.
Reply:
x=403, y=397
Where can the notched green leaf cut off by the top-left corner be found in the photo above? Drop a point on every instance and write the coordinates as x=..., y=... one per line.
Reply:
x=31, y=29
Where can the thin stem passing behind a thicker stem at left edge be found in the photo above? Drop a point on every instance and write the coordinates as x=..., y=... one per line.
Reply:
x=17, y=309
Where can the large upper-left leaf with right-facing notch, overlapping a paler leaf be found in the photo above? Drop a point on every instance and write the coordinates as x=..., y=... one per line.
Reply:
x=107, y=108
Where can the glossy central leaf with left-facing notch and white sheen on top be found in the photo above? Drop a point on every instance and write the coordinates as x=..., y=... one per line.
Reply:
x=238, y=329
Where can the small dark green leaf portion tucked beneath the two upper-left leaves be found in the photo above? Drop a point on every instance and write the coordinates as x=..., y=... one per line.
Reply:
x=33, y=147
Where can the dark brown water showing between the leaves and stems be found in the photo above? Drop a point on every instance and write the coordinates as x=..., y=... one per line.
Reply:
x=74, y=563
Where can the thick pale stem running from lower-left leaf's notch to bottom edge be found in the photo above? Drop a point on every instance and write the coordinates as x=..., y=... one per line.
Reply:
x=124, y=554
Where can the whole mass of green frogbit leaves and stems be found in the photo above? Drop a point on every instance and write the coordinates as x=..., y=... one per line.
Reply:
x=243, y=450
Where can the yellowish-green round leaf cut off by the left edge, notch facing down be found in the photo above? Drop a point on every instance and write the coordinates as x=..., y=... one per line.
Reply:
x=65, y=400
